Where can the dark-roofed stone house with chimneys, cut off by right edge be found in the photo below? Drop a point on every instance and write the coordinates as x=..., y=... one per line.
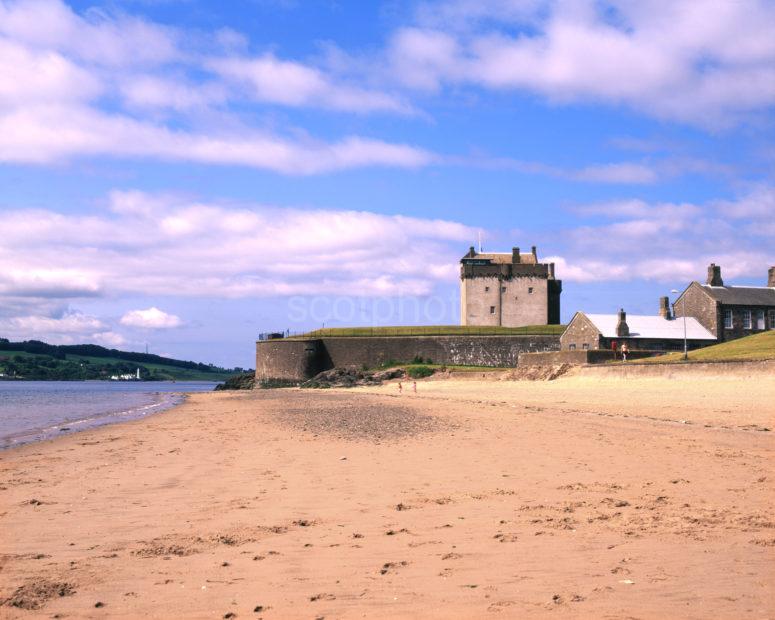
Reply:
x=729, y=312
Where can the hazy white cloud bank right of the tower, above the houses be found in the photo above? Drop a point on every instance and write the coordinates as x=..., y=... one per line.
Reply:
x=670, y=242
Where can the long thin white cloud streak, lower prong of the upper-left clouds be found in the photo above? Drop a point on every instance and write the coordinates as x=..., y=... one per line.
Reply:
x=44, y=134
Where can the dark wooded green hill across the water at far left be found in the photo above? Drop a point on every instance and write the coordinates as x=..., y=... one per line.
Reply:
x=37, y=361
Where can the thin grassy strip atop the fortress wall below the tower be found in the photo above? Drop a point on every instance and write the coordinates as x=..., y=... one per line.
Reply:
x=435, y=330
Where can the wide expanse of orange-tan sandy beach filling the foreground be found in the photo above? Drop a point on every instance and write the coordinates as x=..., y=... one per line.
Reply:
x=581, y=497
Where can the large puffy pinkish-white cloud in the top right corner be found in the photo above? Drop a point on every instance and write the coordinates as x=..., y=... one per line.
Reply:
x=697, y=62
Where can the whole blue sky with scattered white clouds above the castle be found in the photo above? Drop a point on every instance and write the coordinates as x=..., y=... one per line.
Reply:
x=186, y=175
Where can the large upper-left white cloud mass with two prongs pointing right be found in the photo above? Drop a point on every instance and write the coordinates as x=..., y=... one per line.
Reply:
x=108, y=84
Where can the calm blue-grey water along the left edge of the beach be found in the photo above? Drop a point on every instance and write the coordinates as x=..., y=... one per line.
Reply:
x=35, y=410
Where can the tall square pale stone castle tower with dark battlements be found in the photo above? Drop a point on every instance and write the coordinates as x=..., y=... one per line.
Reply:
x=508, y=289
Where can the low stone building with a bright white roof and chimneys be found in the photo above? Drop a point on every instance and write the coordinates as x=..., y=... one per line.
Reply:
x=638, y=332
